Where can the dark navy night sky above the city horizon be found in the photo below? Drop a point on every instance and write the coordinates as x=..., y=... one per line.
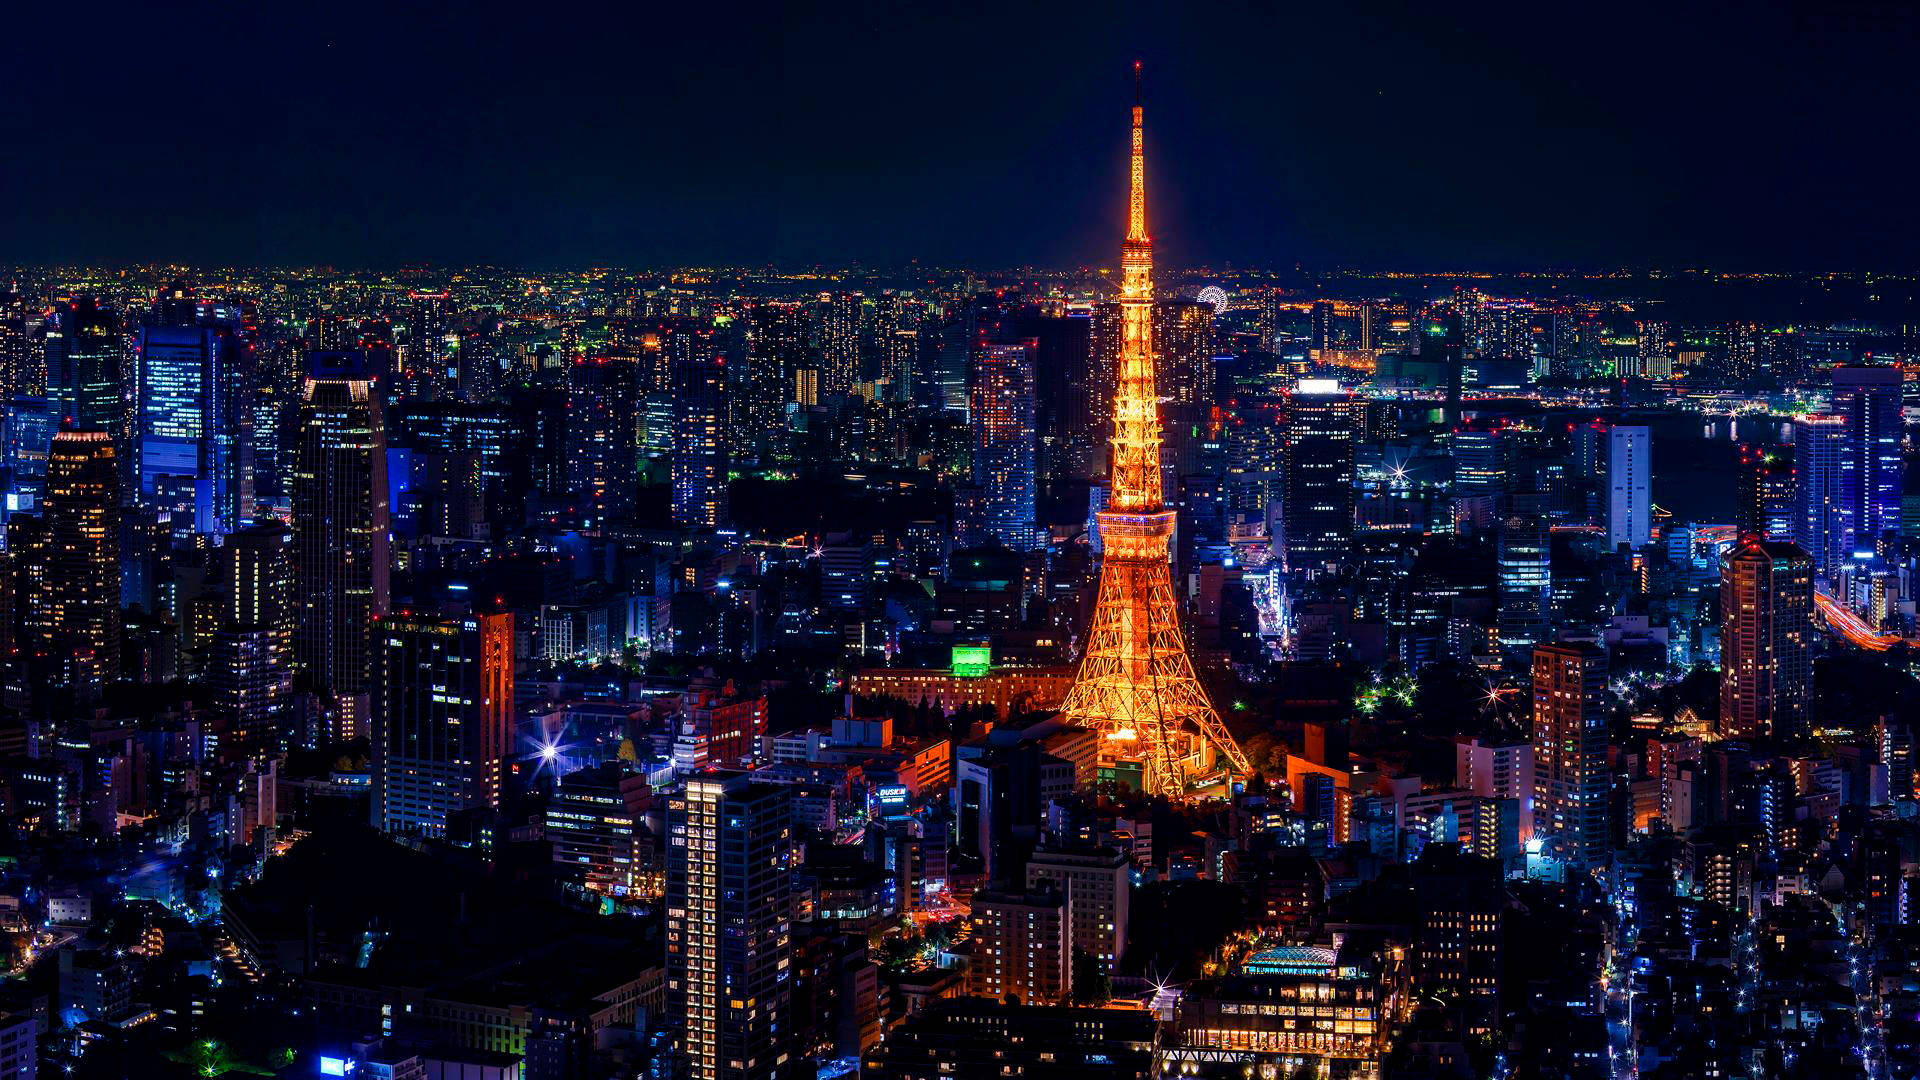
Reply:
x=1439, y=135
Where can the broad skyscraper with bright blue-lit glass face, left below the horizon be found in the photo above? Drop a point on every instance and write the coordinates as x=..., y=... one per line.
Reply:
x=191, y=418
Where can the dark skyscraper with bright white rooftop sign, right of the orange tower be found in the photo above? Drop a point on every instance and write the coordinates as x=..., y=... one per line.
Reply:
x=1318, y=503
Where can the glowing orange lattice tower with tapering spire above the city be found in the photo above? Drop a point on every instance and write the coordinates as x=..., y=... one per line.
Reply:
x=1136, y=685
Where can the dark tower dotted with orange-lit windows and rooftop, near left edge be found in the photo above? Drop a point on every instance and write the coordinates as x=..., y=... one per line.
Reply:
x=82, y=606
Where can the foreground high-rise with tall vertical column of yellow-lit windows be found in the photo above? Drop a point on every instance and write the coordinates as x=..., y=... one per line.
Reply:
x=729, y=925
